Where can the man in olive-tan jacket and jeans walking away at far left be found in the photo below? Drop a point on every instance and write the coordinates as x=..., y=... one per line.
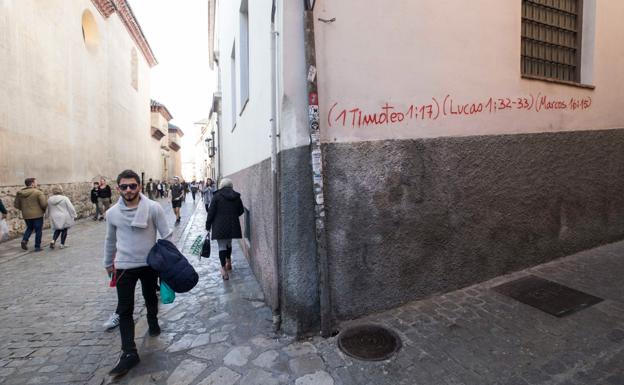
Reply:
x=32, y=203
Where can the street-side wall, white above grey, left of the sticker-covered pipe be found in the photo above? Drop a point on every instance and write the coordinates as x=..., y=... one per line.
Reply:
x=245, y=155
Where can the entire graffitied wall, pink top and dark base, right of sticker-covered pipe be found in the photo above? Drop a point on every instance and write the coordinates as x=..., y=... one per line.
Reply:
x=424, y=200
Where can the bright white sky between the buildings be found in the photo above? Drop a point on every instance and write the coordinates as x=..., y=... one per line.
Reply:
x=177, y=31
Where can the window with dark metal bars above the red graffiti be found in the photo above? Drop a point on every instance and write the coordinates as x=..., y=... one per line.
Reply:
x=551, y=39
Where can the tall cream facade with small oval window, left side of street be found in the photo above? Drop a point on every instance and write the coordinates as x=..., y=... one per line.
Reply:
x=74, y=96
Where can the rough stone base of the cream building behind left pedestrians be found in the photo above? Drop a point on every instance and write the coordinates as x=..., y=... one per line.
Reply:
x=78, y=194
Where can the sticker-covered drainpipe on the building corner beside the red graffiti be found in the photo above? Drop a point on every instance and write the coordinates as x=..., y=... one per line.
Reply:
x=316, y=154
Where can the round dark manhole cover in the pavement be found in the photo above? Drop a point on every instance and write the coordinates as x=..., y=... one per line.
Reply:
x=369, y=342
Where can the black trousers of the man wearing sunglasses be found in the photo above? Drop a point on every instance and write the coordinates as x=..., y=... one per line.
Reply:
x=126, y=283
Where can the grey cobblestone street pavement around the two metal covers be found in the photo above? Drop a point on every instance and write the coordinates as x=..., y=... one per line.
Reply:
x=53, y=304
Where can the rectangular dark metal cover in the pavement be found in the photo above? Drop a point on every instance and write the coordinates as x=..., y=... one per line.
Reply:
x=548, y=296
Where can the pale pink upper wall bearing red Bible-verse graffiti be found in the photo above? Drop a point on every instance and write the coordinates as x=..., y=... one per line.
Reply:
x=407, y=53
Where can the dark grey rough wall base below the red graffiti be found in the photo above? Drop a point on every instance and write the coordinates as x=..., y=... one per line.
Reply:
x=409, y=218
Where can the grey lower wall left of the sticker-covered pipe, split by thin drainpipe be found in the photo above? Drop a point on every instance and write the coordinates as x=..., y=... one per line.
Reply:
x=299, y=303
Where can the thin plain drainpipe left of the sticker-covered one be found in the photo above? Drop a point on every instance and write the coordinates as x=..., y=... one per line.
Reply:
x=275, y=171
